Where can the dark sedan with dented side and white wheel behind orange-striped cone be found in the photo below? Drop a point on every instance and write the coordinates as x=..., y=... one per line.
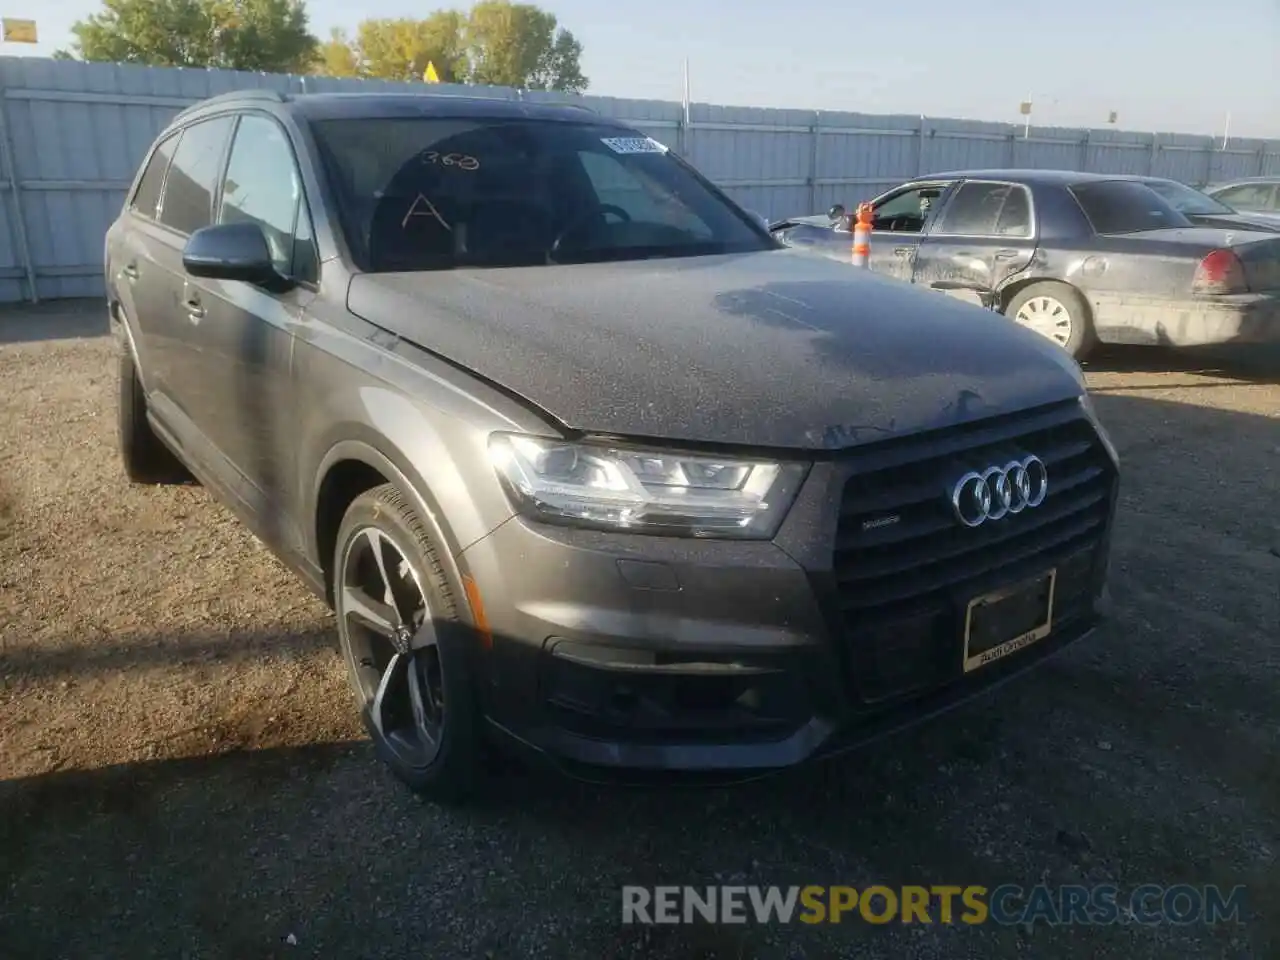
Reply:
x=1082, y=259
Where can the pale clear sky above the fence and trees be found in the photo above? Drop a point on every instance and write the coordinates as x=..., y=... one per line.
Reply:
x=1178, y=66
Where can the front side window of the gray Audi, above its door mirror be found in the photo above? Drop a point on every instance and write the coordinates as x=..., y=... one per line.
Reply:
x=263, y=186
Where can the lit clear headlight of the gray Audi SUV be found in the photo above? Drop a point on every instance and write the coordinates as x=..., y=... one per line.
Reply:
x=646, y=491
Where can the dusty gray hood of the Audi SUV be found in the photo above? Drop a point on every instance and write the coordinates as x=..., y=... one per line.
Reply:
x=772, y=350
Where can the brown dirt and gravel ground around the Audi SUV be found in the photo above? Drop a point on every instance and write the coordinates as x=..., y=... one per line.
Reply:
x=182, y=775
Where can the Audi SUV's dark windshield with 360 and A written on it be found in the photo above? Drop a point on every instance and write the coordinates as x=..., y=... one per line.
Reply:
x=435, y=194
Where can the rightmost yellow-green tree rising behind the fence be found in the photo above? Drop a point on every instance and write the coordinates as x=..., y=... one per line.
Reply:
x=520, y=45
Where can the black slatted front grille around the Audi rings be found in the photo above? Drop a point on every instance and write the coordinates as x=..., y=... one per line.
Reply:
x=906, y=568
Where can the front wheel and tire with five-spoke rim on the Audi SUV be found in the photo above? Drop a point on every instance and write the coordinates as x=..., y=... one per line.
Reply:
x=390, y=659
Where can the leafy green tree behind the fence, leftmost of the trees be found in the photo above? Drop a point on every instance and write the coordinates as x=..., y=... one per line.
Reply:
x=240, y=35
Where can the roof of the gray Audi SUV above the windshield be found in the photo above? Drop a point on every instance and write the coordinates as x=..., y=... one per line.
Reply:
x=330, y=107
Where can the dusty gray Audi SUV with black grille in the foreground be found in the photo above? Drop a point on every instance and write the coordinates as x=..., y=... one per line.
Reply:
x=583, y=460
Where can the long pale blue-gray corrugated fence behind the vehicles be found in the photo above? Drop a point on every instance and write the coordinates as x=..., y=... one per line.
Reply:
x=72, y=136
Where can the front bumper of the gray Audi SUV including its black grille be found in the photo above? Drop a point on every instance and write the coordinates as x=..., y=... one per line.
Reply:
x=621, y=657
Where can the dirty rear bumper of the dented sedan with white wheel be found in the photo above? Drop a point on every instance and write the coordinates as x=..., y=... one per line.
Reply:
x=1205, y=322
